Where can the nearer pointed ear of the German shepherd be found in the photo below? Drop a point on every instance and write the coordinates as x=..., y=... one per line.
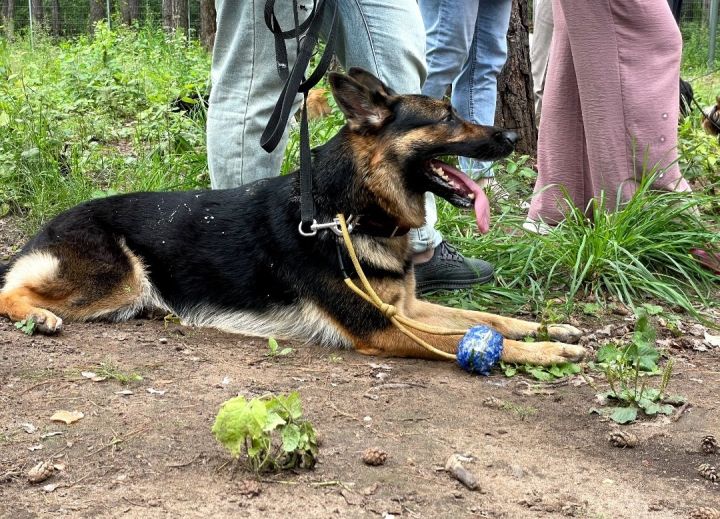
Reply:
x=364, y=109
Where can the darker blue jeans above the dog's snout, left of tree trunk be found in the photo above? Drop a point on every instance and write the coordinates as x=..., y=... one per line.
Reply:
x=466, y=48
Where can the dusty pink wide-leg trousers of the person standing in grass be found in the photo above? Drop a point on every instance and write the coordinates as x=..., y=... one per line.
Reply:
x=610, y=109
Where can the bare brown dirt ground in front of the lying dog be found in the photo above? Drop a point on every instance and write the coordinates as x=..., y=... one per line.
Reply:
x=151, y=453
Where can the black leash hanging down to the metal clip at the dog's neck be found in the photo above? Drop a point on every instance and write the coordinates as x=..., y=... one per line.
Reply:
x=306, y=37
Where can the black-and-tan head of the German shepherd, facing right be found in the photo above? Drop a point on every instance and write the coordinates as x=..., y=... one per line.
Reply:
x=397, y=141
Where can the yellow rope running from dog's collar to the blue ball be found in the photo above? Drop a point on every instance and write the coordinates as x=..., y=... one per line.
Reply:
x=391, y=312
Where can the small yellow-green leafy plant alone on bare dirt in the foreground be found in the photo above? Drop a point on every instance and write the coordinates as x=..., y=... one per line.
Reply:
x=269, y=432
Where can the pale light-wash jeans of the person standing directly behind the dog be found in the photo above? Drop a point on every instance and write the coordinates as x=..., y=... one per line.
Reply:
x=385, y=37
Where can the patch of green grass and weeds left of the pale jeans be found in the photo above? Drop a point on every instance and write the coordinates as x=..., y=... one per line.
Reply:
x=90, y=117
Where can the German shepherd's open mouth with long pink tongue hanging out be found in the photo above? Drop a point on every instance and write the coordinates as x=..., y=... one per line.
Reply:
x=460, y=190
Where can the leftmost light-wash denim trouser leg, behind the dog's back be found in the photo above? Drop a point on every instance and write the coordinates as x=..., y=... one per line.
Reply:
x=245, y=88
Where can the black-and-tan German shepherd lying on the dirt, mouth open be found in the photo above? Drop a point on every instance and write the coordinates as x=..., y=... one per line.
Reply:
x=234, y=259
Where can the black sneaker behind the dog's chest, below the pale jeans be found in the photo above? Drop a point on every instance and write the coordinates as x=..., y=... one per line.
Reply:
x=448, y=270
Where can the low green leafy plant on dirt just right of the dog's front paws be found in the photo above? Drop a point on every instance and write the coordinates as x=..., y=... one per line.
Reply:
x=627, y=369
